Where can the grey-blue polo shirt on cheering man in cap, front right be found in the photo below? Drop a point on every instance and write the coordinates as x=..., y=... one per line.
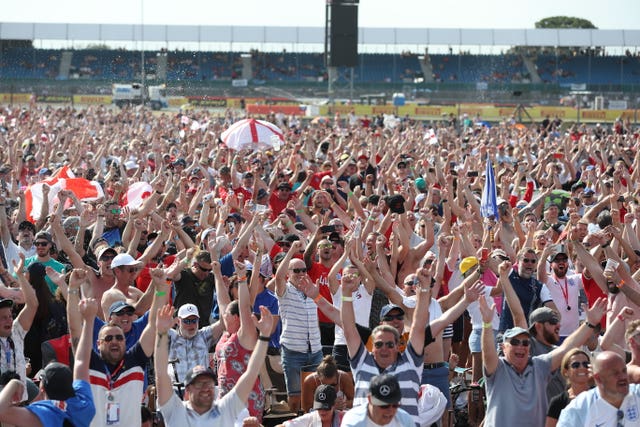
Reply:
x=518, y=399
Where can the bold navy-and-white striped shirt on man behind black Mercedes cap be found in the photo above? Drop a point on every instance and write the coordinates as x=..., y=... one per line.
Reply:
x=407, y=369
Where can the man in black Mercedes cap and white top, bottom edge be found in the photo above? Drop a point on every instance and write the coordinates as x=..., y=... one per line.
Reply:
x=382, y=408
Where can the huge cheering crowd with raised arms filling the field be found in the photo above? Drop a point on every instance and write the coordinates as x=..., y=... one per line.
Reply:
x=361, y=262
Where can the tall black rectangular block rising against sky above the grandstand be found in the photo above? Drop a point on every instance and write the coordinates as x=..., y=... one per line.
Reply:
x=344, y=35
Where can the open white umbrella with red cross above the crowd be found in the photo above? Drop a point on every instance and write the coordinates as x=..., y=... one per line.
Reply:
x=252, y=134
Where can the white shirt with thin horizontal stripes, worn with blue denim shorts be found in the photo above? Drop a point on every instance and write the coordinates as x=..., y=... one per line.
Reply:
x=299, y=315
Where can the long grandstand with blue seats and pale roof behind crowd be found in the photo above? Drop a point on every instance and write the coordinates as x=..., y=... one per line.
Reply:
x=549, y=71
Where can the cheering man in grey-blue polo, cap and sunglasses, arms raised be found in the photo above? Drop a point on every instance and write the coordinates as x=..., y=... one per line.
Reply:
x=516, y=382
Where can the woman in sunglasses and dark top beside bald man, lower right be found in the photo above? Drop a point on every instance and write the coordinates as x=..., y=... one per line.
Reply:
x=575, y=370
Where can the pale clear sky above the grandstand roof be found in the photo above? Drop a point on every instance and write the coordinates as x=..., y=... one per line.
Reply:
x=612, y=14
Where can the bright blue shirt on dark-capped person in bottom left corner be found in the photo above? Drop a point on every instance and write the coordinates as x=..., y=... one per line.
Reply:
x=79, y=409
